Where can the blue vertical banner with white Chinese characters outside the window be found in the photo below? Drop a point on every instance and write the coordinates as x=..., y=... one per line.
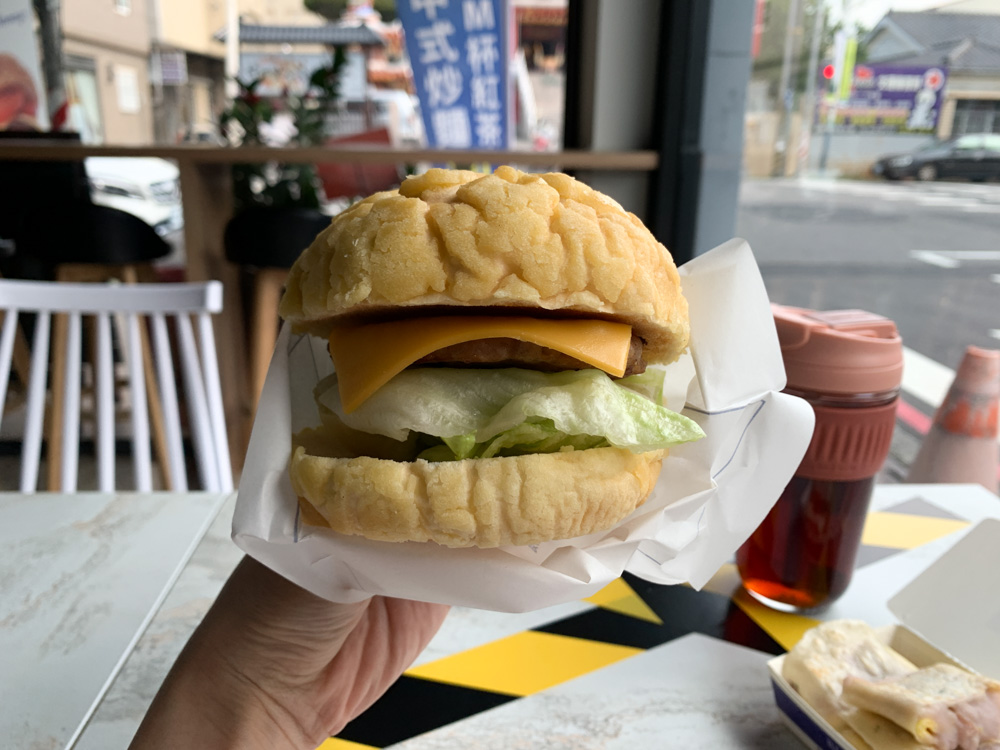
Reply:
x=458, y=50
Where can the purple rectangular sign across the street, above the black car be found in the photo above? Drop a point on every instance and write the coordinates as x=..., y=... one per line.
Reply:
x=901, y=98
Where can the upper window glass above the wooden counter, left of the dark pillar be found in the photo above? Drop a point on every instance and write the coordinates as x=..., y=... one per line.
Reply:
x=160, y=70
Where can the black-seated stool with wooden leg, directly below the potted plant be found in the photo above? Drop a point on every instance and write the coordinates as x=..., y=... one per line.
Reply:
x=265, y=242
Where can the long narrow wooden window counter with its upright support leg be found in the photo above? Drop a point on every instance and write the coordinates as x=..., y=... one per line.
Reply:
x=206, y=192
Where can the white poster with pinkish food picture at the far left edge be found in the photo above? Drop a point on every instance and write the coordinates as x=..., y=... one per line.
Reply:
x=22, y=101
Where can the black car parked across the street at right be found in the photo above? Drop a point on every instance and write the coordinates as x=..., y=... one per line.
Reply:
x=969, y=157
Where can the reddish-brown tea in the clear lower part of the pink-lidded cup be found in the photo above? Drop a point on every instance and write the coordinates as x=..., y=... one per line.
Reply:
x=802, y=555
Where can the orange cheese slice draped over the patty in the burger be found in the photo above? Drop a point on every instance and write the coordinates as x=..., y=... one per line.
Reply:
x=367, y=356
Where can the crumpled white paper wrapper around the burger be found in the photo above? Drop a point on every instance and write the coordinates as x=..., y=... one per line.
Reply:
x=710, y=496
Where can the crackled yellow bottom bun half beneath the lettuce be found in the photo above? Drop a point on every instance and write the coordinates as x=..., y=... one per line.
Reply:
x=481, y=502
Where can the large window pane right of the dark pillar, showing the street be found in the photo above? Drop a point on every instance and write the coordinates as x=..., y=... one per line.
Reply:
x=849, y=200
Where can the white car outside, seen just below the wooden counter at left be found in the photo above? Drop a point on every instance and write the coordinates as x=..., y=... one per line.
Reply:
x=143, y=186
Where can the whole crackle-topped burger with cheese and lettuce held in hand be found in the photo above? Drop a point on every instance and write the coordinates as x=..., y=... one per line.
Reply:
x=494, y=342
